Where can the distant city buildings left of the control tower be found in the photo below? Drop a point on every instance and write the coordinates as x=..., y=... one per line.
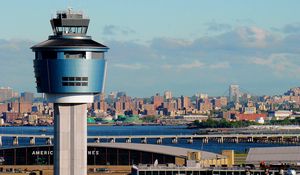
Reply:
x=23, y=109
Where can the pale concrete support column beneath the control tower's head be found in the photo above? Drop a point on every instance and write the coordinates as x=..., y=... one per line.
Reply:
x=70, y=139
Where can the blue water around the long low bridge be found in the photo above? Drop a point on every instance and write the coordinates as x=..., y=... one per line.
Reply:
x=135, y=130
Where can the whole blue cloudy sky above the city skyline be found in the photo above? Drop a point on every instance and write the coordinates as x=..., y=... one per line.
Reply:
x=156, y=45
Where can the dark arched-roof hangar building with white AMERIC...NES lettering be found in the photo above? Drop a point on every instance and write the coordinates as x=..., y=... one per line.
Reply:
x=108, y=154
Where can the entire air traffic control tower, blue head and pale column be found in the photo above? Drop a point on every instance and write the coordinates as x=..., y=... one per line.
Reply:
x=70, y=69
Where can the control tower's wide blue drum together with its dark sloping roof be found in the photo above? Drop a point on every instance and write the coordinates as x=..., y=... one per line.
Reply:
x=62, y=65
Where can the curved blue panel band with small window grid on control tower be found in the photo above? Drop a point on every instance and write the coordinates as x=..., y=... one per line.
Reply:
x=69, y=76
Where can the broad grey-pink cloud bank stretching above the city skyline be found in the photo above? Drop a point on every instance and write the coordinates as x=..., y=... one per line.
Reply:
x=244, y=54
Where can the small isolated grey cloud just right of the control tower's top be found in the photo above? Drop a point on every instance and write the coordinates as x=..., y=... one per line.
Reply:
x=117, y=30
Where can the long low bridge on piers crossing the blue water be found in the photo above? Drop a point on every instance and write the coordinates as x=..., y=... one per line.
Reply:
x=219, y=138
